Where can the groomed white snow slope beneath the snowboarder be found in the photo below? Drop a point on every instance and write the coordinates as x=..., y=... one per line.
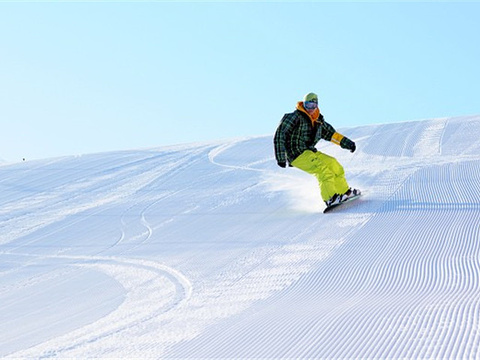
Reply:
x=212, y=251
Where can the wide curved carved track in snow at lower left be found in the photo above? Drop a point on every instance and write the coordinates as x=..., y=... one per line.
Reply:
x=151, y=290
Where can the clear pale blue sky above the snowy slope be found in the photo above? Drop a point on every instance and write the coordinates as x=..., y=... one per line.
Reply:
x=83, y=77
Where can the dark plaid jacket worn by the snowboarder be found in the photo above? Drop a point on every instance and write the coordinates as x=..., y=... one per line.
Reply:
x=296, y=133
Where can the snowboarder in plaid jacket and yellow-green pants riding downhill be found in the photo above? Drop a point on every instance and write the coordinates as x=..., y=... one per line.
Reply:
x=295, y=140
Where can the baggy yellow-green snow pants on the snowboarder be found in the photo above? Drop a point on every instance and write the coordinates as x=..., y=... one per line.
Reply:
x=327, y=170
